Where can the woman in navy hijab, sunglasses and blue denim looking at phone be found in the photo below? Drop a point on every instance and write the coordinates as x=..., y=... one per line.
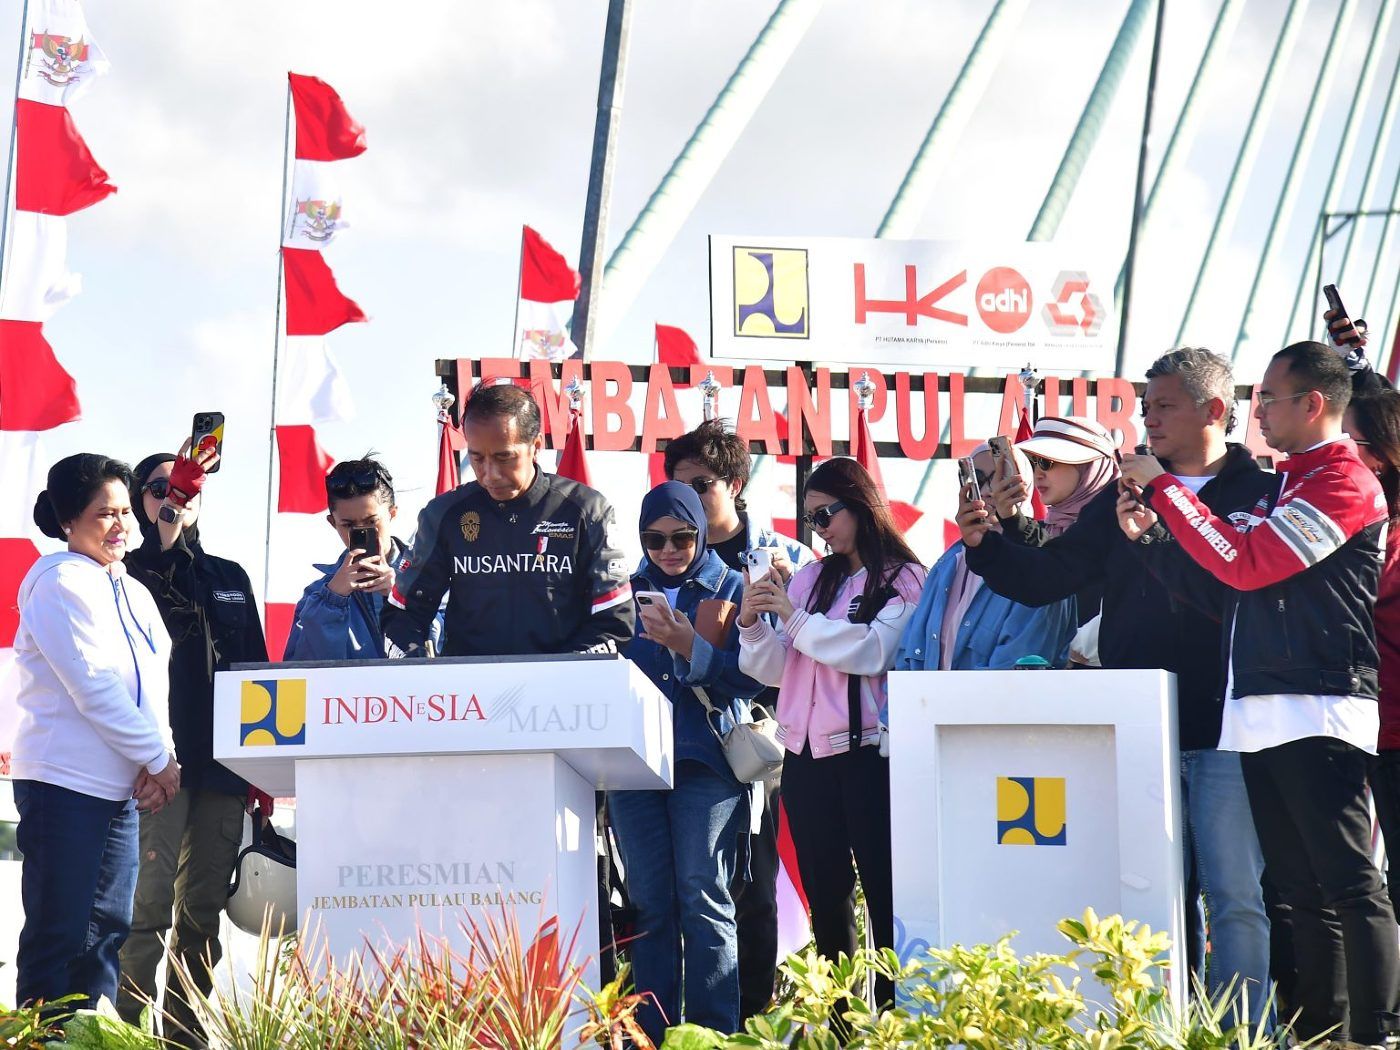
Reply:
x=681, y=848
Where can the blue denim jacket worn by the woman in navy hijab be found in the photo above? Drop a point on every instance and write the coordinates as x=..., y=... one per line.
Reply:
x=717, y=671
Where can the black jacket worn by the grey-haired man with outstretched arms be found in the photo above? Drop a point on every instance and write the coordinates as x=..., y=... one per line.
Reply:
x=1143, y=625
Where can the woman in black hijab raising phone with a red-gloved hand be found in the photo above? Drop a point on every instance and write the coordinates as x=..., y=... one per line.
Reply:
x=191, y=846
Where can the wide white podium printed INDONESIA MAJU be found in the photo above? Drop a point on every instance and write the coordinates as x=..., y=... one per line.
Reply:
x=429, y=792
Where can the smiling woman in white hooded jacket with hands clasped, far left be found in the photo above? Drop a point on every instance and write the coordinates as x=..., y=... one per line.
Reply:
x=93, y=741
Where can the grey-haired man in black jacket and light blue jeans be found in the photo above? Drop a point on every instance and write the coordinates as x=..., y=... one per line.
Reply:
x=1188, y=411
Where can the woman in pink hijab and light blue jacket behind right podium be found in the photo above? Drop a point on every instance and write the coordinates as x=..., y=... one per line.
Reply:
x=961, y=625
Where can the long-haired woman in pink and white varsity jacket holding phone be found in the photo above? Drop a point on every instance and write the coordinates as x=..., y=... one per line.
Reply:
x=841, y=628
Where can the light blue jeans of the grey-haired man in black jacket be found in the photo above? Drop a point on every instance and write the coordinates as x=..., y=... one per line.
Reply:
x=1219, y=834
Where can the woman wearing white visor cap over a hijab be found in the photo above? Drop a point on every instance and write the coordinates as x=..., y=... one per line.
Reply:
x=1073, y=460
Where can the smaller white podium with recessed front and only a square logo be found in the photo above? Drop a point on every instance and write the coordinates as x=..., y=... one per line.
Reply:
x=1023, y=797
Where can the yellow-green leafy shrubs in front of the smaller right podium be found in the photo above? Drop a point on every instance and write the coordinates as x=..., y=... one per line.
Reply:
x=992, y=999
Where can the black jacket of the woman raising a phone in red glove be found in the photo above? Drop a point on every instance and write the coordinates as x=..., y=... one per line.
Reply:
x=209, y=612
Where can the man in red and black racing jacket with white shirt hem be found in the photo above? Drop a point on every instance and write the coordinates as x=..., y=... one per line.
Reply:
x=1297, y=584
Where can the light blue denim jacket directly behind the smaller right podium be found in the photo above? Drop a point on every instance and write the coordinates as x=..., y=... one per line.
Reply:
x=995, y=633
